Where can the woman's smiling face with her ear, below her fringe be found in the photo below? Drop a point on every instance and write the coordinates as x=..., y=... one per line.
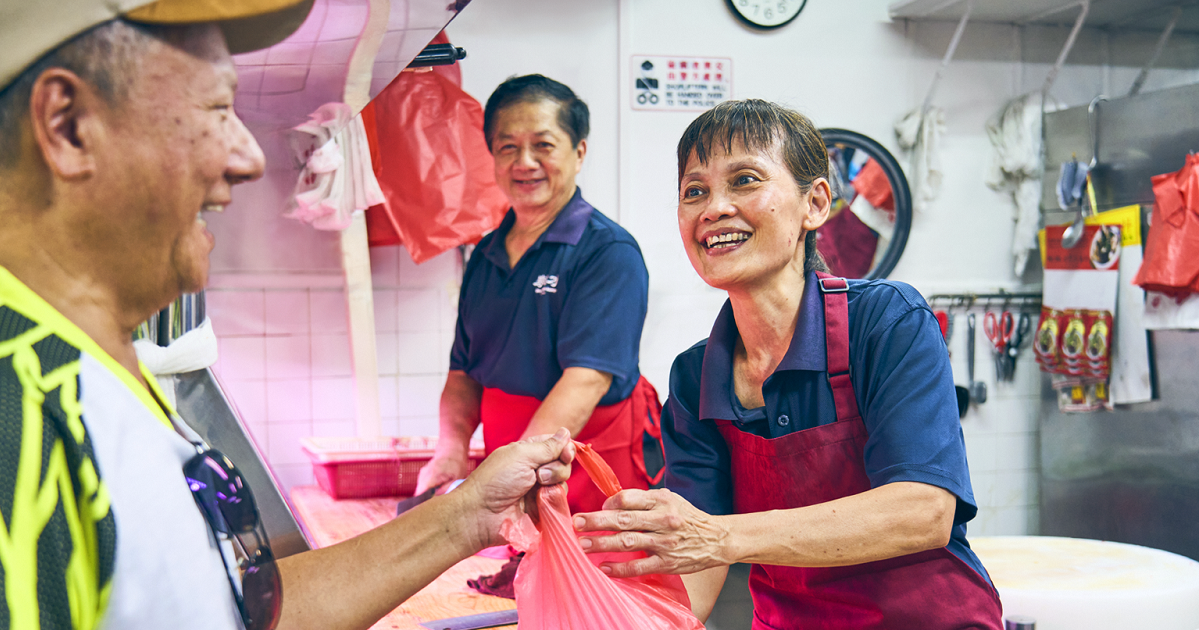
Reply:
x=743, y=217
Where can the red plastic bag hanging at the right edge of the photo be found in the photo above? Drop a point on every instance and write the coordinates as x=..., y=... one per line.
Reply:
x=1172, y=249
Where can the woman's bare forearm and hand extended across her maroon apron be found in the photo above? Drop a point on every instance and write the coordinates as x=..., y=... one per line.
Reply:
x=885, y=523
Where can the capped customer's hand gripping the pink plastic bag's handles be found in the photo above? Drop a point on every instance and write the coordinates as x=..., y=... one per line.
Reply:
x=503, y=485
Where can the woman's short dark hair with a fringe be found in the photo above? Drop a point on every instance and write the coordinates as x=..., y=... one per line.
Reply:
x=761, y=127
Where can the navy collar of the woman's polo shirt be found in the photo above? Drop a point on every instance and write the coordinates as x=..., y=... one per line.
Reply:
x=808, y=352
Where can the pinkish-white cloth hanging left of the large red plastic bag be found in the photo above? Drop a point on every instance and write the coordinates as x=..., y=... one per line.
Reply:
x=338, y=178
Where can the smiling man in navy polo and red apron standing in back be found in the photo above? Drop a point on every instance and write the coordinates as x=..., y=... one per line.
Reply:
x=552, y=307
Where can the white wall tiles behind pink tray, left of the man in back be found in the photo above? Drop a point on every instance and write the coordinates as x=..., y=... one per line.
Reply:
x=286, y=353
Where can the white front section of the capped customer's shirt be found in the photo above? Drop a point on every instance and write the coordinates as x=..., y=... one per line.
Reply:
x=168, y=572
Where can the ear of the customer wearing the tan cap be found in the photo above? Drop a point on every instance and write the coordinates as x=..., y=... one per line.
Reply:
x=65, y=119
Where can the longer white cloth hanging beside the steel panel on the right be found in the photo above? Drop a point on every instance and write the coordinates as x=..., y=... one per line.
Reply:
x=1017, y=170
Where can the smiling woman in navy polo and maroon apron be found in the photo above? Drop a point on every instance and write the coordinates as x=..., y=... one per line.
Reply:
x=815, y=434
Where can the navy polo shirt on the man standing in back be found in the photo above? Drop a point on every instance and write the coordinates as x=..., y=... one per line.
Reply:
x=576, y=299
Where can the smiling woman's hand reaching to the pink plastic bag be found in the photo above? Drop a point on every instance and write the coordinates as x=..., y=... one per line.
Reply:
x=678, y=537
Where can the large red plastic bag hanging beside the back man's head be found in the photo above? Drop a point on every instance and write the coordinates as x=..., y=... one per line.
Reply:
x=433, y=166
